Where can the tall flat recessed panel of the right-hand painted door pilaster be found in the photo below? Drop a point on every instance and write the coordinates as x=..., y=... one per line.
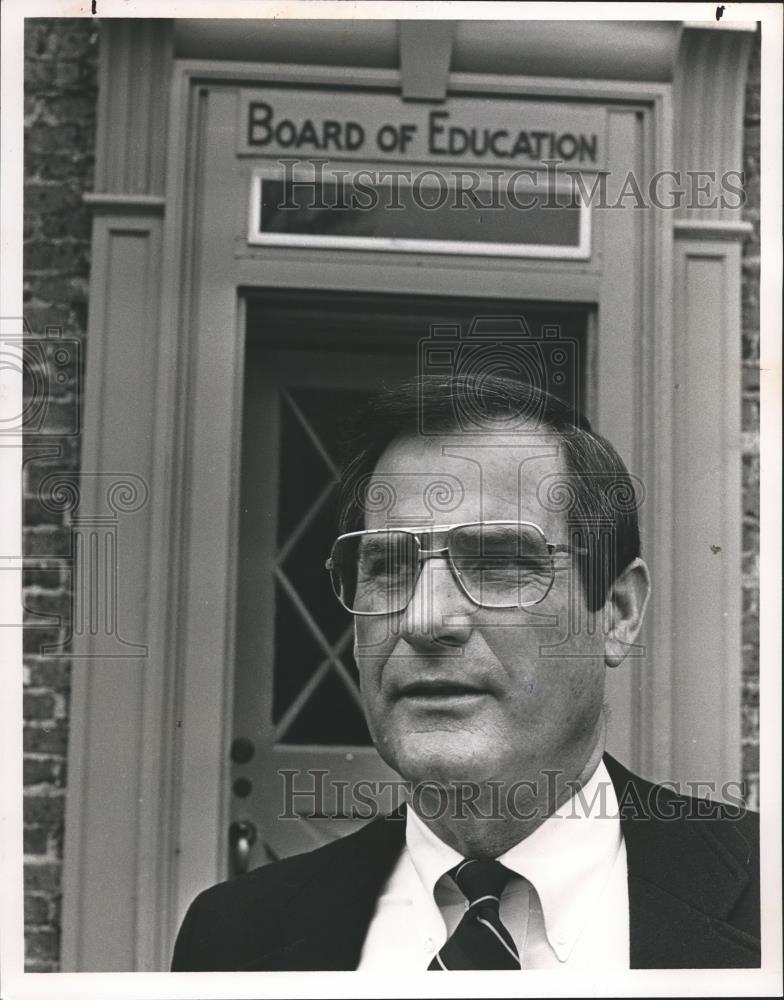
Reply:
x=707, y=354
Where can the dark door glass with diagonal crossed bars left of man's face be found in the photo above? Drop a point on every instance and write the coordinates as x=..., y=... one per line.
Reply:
x=315, y=693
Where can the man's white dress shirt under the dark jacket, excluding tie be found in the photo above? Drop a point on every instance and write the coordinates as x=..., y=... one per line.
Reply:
x=568, y=909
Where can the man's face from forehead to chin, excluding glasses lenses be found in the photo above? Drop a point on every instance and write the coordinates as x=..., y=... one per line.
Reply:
x=456, y=692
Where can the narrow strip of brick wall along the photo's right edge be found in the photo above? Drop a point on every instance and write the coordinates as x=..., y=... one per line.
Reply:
x=751, y=355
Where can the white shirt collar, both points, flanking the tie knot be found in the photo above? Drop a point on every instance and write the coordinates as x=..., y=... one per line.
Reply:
x=568, y=859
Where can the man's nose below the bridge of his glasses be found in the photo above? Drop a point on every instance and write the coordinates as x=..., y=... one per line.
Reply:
x=439, y=613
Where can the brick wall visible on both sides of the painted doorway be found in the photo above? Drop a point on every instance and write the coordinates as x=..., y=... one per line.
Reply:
x=60, y=82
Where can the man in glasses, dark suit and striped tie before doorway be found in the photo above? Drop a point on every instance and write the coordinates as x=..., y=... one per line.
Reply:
x=490, y=555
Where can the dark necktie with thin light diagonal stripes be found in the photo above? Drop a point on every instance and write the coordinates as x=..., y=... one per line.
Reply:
x=480, y=940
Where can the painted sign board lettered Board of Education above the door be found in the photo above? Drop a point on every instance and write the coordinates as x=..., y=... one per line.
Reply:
x=513, y=132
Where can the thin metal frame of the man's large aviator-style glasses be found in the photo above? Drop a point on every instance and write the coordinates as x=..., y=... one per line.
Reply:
x=553, y=548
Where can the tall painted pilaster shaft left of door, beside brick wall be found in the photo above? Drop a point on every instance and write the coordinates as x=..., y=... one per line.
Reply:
x=113, y=797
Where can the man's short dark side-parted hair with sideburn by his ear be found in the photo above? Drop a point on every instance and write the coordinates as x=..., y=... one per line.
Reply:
x=596, y=493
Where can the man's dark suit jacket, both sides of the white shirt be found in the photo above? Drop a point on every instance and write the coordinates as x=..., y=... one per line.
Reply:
x=693, y=892
